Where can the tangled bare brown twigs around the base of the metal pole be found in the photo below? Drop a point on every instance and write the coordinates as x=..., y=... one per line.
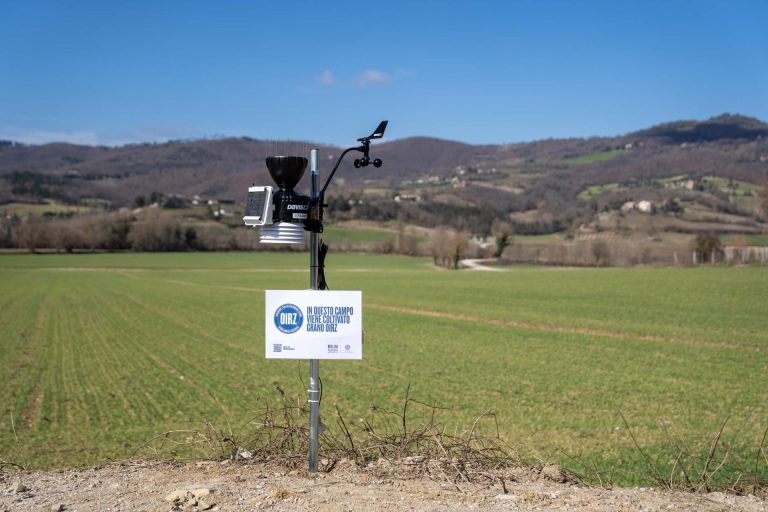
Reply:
x=411, y=436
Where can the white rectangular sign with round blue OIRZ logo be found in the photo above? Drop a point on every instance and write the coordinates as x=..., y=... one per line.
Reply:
x=312, y=324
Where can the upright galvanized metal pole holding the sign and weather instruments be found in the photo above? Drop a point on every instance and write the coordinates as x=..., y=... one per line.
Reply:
x=314, y=364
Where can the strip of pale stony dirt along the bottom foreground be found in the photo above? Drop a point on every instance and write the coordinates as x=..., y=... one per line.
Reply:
x=407, y=485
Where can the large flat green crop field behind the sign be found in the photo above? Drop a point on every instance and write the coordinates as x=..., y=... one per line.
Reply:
x=101, y=352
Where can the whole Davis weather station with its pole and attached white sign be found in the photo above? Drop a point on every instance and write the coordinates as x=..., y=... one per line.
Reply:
x=309, y=324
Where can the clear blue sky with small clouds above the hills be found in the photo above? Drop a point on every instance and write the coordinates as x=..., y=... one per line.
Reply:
x=106, y=72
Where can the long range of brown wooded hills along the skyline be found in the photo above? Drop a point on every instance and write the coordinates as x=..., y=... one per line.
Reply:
x=553, y=184
